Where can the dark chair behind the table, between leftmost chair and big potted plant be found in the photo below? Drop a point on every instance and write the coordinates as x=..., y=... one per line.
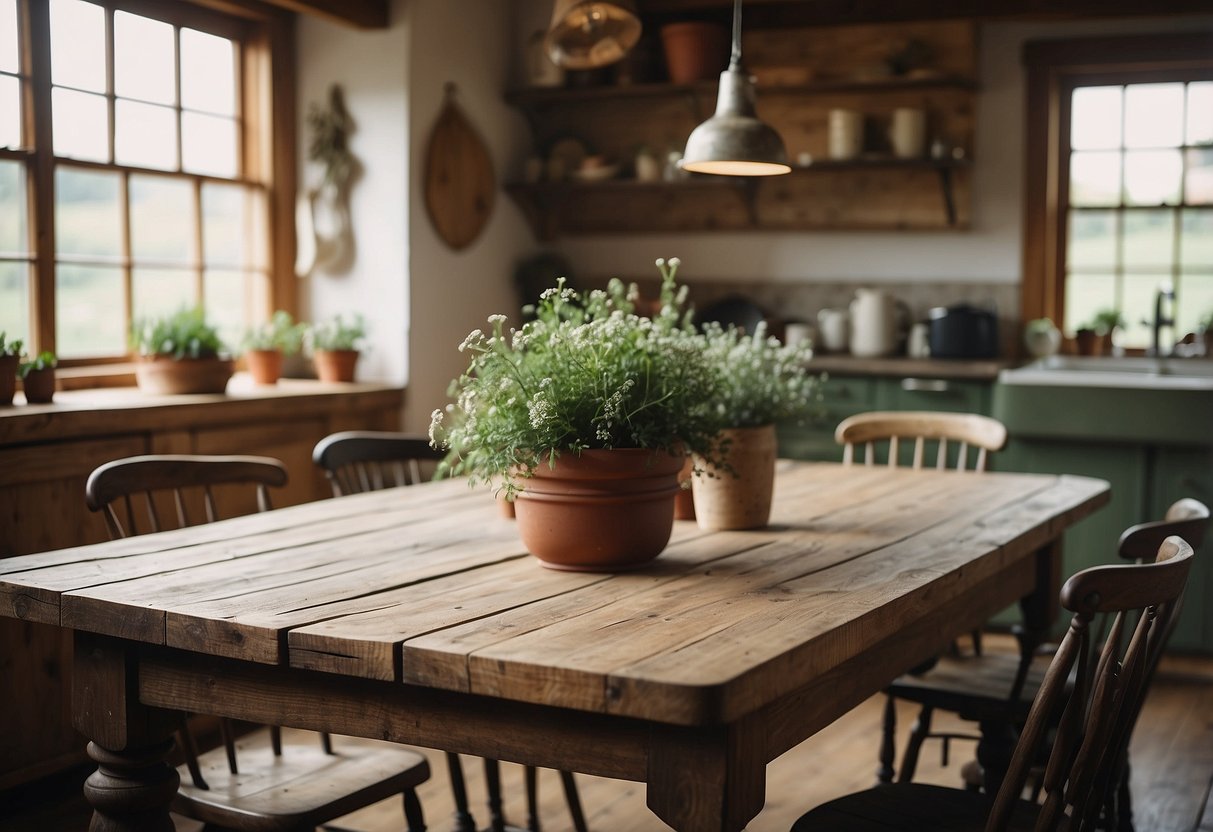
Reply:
x=357, y=461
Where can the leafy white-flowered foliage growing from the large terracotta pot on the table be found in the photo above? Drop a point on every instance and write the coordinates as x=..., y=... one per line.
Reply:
x=586, y=373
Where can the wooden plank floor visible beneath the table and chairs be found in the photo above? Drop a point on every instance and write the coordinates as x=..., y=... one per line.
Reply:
x=1172, y=757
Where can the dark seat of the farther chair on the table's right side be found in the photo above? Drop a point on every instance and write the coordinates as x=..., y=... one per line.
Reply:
x=973, y=687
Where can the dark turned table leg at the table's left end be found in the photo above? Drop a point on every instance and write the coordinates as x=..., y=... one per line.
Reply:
x=134, y=785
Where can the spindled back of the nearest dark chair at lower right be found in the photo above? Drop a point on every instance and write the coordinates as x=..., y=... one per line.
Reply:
x=1089, y=751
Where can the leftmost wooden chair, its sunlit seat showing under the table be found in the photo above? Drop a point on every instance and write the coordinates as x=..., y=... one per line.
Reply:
x=250, y=783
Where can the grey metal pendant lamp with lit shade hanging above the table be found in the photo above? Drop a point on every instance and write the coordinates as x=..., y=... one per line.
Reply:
x=734, y=143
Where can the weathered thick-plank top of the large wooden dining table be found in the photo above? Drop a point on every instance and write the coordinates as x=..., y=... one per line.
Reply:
x=863, y=573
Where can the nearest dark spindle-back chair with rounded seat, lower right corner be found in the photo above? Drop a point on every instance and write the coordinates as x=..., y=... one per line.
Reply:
x=1091, y=720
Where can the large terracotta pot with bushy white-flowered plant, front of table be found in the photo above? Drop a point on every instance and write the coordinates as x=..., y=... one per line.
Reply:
x=584, y=418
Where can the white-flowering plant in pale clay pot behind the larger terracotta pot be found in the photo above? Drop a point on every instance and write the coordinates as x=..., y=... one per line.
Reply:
x=761, y=383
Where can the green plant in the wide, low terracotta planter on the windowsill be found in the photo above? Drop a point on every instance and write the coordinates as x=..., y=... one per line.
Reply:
x=180, y=354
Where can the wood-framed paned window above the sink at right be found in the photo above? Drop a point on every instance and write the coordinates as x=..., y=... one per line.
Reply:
x=1120, y=201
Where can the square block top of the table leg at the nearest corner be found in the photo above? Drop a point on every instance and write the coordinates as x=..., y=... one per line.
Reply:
x=711, y=779
